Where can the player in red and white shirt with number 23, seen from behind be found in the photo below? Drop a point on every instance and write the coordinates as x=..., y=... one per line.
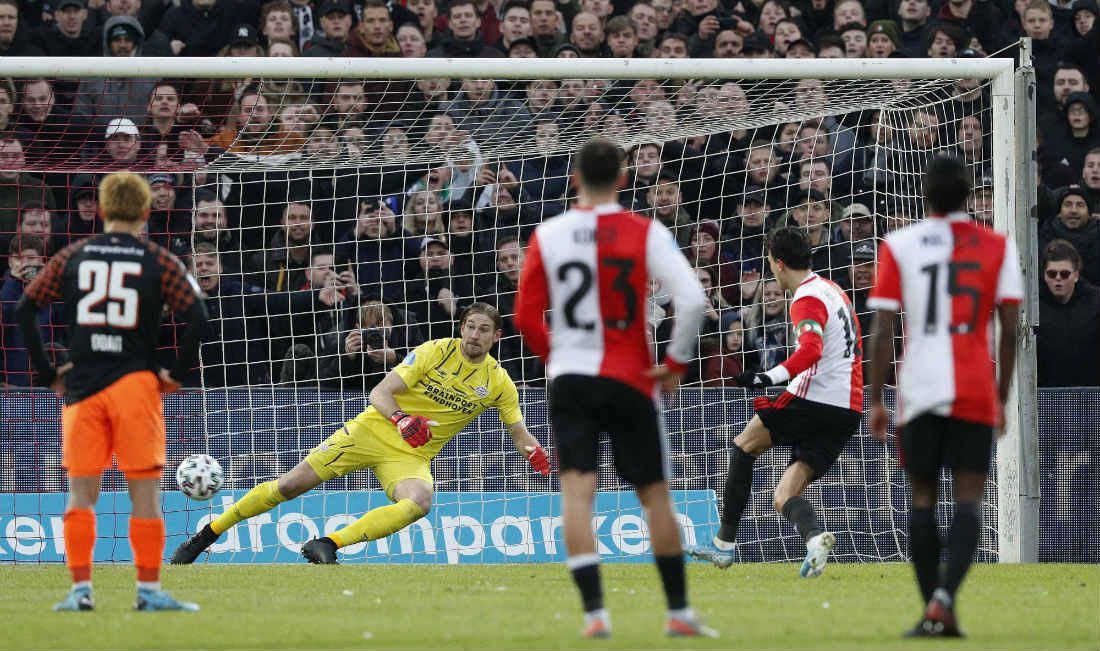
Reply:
x=590, y=268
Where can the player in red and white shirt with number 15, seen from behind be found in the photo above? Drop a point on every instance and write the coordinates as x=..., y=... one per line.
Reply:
x=947, y=274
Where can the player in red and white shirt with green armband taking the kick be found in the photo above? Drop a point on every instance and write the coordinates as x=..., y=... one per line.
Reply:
x=816, y=416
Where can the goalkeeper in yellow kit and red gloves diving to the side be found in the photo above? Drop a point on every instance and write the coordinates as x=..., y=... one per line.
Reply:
x=415, y=411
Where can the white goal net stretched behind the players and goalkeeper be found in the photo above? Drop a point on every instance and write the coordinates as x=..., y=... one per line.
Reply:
x=335, y=223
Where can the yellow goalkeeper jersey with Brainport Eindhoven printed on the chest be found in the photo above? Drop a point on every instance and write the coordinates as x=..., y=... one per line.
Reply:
x=448, y=389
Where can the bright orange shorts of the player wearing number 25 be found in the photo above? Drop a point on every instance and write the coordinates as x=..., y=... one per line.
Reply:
x=127, y=418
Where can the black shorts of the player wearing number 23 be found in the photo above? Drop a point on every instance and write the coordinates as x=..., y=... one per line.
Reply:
x=584, y=406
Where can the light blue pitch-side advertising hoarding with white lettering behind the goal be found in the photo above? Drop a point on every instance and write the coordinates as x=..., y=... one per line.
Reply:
x=461, y=528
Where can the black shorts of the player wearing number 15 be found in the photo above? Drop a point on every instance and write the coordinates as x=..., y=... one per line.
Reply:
x=930, y=443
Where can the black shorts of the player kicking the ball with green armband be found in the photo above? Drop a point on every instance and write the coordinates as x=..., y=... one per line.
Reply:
x=817, y=433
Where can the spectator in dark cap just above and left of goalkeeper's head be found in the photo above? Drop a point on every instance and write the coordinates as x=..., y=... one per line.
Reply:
x=433, y=293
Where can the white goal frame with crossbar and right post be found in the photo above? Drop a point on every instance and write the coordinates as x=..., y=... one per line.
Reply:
x=1015, y=175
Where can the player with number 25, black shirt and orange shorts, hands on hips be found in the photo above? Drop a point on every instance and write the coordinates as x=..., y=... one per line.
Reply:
x=114, y=288
